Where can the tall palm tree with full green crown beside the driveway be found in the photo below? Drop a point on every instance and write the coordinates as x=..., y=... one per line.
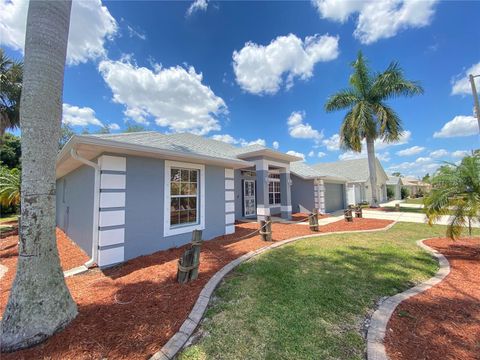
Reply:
x=368, y=116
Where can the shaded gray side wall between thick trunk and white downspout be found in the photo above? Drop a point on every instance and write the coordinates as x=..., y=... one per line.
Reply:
x=74, y=201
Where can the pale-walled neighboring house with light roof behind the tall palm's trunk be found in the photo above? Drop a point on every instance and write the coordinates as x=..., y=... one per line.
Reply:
x=356, y=173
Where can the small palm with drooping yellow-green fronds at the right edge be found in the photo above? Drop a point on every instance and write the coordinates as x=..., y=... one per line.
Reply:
x=456, y=191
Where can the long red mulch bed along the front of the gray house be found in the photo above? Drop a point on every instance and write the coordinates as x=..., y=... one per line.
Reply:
x=130, y=311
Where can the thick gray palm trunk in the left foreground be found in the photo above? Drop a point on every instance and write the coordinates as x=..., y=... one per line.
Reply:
x=40, y=303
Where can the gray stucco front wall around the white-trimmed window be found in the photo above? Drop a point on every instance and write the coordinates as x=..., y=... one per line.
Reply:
x=144, y=207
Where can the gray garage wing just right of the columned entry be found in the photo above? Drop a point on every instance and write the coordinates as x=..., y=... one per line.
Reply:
x=315, y=189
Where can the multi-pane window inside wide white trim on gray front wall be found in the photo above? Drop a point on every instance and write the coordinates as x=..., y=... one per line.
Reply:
x=183, y=196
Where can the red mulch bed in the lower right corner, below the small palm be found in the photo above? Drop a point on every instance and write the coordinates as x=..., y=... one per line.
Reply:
x=444, y=321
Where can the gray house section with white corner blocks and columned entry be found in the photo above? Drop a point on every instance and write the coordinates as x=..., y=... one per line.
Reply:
x=120, y=196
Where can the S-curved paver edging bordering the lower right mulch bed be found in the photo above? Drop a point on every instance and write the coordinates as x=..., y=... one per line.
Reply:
x=378, y=324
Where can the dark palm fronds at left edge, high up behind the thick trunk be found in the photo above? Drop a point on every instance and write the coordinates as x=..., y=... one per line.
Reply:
x=11, y=74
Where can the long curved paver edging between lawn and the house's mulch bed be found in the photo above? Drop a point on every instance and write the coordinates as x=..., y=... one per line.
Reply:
x=177, y=341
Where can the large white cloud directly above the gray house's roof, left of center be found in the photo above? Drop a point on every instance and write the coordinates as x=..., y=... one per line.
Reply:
x=174, y=97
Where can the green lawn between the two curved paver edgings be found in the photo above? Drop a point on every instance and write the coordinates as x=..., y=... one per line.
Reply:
x=308, y=299
